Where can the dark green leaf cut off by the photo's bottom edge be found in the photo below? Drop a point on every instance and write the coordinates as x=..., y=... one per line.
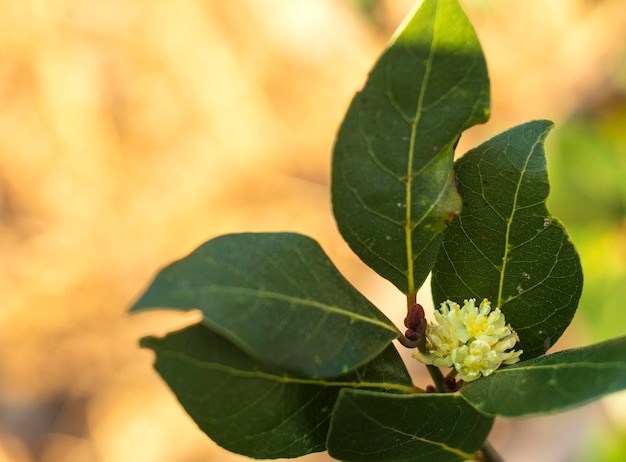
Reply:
x=370, y=426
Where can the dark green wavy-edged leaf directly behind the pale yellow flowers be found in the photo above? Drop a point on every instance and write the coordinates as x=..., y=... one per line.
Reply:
x=505, y=245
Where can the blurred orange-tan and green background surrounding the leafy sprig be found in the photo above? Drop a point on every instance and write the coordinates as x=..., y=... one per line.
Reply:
x=131, y=132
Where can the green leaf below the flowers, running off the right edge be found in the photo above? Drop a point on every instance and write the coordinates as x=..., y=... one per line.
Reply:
x=552, y=383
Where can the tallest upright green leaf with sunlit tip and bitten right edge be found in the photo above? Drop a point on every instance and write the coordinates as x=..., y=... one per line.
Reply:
x=393, y=188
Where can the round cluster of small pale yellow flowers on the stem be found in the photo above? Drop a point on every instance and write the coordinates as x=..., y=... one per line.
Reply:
x=474, y=340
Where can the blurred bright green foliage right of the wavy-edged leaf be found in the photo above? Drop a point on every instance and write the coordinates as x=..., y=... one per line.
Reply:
x=587, y=165
